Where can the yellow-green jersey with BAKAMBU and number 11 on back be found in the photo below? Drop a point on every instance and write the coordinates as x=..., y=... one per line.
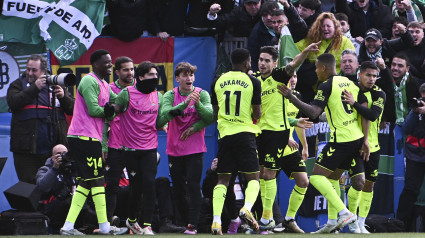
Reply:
x=234, y=93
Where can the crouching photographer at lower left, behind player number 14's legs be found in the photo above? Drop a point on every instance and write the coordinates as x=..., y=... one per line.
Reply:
x=56, y=182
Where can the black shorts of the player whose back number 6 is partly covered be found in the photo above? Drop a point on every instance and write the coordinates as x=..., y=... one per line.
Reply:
x=341, y=155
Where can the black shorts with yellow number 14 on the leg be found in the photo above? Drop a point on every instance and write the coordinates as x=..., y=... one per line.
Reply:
x=87, y=157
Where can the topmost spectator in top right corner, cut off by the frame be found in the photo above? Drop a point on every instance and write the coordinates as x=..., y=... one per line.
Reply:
x=408, y=10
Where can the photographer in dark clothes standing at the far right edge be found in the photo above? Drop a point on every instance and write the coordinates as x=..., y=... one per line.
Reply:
x=414, y=127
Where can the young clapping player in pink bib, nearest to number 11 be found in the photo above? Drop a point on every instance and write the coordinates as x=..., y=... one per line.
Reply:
x=188, y=111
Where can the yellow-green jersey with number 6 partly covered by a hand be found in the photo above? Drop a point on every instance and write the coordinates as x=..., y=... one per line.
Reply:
x=342, y=118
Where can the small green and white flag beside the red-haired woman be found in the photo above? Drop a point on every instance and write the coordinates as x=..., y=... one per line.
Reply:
x=287, y=48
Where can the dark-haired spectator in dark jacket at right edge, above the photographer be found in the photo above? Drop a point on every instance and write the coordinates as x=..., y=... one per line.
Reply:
x=416, y=53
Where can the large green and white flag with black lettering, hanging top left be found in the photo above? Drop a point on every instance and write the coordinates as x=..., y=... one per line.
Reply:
x=69, y=27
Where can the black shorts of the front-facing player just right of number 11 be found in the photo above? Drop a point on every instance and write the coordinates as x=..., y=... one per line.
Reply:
x=271, y=146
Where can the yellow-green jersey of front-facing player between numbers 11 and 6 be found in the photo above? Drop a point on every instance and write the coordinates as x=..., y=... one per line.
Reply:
x=273, y=106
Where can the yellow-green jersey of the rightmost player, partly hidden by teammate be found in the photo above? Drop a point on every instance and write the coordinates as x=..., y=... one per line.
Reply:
x=375, y=101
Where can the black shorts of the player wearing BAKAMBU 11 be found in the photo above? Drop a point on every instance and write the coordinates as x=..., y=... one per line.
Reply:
x=237, y=153
